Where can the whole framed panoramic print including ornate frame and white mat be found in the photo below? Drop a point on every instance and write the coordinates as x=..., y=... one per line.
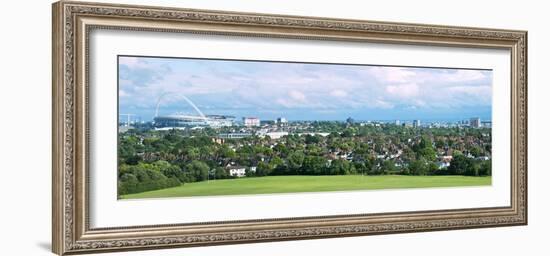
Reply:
x=179, y=127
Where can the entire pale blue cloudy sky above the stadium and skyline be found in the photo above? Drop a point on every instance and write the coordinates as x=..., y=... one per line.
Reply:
x=301, y=91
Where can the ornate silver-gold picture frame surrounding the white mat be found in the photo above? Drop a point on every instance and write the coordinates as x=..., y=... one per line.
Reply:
x=73, y=22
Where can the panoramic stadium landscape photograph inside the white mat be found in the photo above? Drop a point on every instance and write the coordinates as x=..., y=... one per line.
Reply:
x=213, y=127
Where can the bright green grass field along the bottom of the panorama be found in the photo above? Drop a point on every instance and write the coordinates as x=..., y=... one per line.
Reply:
x=292, y=184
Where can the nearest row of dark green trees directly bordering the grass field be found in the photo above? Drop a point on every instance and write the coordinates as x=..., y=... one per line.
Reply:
x=161, y=174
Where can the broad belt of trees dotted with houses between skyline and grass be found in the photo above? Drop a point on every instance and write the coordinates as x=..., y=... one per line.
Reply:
x=150, y=160
